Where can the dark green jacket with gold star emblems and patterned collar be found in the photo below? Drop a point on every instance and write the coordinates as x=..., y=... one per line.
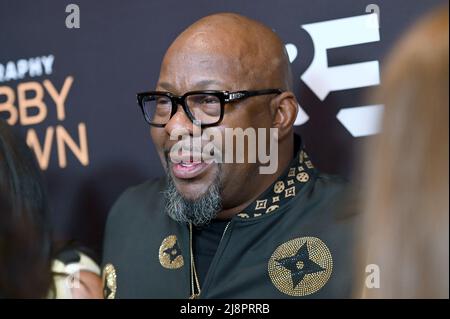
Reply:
x=296, y=240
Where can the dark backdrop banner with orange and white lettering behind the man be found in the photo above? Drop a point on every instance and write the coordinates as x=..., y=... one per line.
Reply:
x=70, y=70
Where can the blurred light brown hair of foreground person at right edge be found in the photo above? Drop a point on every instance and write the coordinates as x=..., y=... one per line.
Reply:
x=406, y=223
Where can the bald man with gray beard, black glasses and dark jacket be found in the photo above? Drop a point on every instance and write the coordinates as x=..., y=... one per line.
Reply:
x=228, y=229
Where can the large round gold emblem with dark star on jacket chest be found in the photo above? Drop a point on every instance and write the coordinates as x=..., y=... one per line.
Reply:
x=301, y=266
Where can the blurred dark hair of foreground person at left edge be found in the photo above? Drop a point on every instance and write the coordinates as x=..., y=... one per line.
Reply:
x=25, y=241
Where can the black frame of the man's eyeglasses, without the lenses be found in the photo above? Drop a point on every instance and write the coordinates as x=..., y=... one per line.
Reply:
x=224, y=97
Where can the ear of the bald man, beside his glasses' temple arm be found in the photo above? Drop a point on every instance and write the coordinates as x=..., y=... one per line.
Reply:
x=284, y=112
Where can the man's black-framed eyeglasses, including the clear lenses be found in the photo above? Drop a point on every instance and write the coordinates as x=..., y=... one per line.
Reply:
x=204, y=106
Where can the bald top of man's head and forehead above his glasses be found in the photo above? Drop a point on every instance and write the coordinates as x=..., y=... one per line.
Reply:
x=224, y=48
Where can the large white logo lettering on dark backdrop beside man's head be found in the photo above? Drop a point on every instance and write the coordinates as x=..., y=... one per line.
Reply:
x=322, y=79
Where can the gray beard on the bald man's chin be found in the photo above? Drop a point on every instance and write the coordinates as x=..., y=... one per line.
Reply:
x=199, y=211
